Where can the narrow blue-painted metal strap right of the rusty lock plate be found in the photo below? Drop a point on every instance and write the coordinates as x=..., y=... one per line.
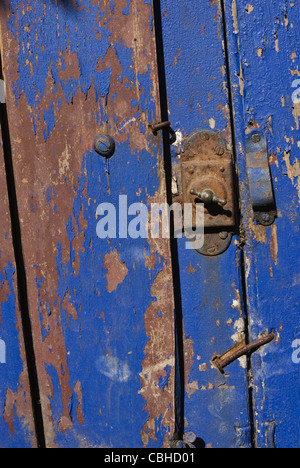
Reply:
x=258, y=170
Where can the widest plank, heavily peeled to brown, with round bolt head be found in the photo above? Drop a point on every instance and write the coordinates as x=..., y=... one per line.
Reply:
x=101, y=310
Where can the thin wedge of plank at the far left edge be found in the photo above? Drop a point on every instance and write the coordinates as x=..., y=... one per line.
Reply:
x=17, y=427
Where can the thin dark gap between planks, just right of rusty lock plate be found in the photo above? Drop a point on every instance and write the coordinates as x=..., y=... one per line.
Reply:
x=242, y=257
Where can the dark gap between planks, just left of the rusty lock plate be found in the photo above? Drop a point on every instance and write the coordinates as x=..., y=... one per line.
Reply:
x=178, y=319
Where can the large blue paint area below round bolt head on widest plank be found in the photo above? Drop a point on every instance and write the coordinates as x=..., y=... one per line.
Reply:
x=107, y=359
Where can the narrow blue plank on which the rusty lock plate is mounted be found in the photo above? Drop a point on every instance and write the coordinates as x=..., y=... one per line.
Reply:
x=216, y=406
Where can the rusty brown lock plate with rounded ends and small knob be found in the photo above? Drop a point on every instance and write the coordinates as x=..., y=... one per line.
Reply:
x=207, y=177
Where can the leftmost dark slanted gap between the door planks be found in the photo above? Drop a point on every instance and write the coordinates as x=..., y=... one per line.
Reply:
x=21, y=274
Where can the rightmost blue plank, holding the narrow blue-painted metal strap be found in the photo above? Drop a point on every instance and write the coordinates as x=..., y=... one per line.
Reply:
x=264, y=51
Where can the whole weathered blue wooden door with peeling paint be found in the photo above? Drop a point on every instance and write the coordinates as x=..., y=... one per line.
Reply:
x=122, y=330
